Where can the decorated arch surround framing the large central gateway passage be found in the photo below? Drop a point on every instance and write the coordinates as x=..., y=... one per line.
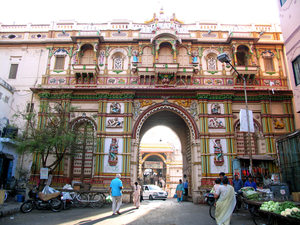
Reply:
x=182, y=123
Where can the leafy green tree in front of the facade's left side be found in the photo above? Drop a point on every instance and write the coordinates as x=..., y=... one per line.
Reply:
x=49, y=134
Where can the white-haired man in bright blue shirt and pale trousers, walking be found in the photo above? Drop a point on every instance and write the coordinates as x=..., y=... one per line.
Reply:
x=116, y=194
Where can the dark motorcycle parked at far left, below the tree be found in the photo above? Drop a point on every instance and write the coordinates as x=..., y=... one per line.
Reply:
x=41, y=201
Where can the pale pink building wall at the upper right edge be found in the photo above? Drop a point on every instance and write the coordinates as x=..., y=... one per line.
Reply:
x=290, y=25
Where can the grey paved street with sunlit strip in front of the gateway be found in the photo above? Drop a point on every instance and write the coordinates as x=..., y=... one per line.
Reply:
x=154, y=212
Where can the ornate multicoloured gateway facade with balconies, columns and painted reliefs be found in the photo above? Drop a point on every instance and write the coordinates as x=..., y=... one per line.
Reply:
x=127, y=77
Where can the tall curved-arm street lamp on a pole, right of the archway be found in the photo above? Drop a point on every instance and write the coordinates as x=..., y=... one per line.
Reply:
x=223, y=58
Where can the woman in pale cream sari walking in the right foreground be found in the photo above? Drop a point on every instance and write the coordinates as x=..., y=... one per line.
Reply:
x=225, y=204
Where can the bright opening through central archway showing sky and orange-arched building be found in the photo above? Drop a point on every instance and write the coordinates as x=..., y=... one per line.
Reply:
x=160, y=151
